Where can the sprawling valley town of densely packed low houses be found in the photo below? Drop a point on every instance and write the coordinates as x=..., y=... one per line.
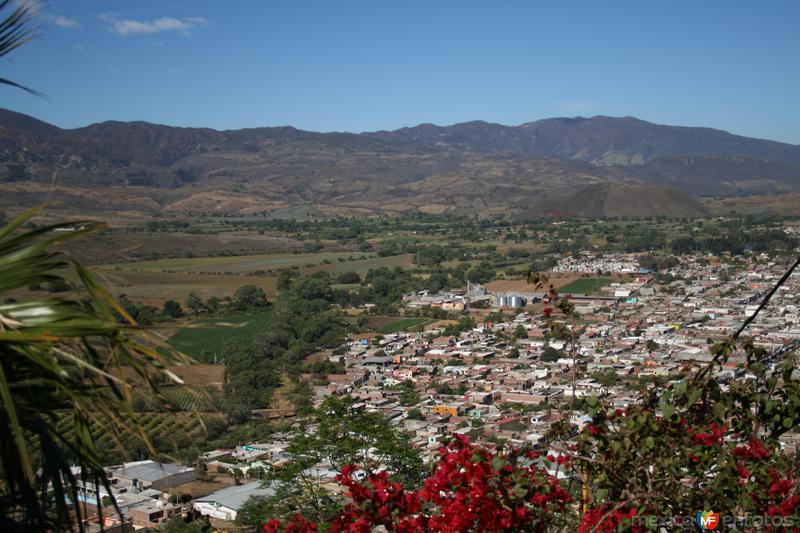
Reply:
x=507, y=380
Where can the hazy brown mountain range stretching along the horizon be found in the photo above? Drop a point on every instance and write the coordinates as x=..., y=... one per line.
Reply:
x=587, y=167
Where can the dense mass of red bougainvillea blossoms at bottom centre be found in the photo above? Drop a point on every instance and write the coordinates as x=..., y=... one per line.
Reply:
x=471, y=489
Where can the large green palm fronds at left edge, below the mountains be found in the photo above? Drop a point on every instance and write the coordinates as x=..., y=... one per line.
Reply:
x=60, y=363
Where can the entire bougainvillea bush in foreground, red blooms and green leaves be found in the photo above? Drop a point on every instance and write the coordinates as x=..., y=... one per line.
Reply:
x=693, y=445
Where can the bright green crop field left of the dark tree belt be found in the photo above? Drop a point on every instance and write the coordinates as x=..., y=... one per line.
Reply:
x=207, y=338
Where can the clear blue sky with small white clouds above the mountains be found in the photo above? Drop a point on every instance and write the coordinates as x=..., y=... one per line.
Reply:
x=339, y=65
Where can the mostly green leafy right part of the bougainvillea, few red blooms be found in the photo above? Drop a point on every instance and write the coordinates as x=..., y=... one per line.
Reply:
x=723, y=444
